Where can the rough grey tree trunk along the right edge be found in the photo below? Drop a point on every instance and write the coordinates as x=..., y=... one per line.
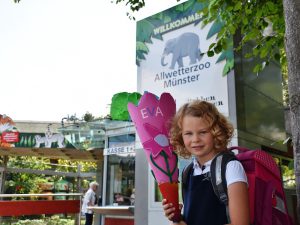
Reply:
x=292, y=42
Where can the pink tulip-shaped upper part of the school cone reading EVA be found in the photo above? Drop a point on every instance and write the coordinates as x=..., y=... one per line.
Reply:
x=152, y=118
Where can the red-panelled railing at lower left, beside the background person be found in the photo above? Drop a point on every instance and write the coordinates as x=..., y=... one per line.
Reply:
x=39, y=207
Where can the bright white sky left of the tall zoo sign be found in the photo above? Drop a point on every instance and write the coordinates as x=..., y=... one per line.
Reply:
x=60, y=58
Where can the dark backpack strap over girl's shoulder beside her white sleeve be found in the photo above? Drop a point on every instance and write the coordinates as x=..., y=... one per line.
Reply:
x=218, y=174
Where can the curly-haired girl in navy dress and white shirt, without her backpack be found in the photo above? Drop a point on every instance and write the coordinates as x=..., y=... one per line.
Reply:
x=198, y=129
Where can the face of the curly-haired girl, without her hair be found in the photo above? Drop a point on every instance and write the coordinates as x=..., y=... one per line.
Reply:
x=197, y=138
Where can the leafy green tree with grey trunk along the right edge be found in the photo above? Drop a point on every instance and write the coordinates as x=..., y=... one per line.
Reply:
x=274, y=28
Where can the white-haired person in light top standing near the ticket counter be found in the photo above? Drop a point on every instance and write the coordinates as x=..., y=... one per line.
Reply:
x=90, y=199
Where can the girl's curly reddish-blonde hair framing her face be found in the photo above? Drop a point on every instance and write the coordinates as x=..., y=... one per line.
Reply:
x=221, y=129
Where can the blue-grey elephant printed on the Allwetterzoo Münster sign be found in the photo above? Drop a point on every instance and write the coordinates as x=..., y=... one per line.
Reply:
x=186, y=44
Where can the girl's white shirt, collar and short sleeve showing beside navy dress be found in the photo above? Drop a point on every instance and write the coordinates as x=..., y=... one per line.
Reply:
x=234, y=171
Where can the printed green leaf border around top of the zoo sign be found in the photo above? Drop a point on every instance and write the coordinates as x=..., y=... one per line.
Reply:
x=146, y=31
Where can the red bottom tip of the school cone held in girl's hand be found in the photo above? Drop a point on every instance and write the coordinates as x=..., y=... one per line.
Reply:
x=169, y=191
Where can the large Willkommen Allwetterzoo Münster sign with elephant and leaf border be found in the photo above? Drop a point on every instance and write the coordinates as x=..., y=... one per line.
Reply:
x=170, y=57
